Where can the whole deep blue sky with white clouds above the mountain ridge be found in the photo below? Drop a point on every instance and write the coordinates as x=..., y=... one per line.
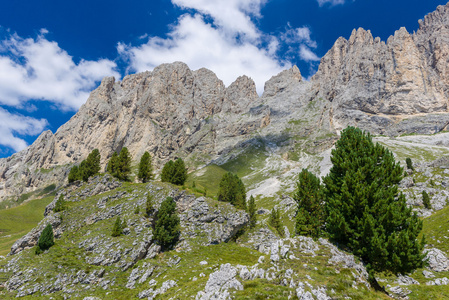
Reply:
x=53, y=53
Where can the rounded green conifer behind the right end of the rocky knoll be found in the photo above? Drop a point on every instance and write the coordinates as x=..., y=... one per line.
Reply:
x=232, y=190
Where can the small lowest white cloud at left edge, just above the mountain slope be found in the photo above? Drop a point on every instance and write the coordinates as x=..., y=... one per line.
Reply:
x=11, y=124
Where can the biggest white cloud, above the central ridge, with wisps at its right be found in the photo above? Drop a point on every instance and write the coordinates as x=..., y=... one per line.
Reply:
x=220, y=35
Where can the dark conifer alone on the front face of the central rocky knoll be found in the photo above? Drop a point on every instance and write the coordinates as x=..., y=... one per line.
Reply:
x=167, y=228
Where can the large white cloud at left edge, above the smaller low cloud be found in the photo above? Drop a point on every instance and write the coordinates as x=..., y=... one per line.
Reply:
x=39, y=69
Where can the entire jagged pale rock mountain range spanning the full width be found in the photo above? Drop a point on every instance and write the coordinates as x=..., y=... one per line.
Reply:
x=390, y=88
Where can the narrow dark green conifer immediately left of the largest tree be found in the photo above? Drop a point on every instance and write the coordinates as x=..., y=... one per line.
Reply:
x=311, y=213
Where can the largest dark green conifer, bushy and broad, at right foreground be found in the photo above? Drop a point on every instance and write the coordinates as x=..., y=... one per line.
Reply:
x=365, y=210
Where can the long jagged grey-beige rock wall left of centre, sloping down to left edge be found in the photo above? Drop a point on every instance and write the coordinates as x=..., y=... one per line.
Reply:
x=168, y=111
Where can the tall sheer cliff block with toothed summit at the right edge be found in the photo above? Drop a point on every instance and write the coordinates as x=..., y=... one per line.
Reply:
x=407, y=75
